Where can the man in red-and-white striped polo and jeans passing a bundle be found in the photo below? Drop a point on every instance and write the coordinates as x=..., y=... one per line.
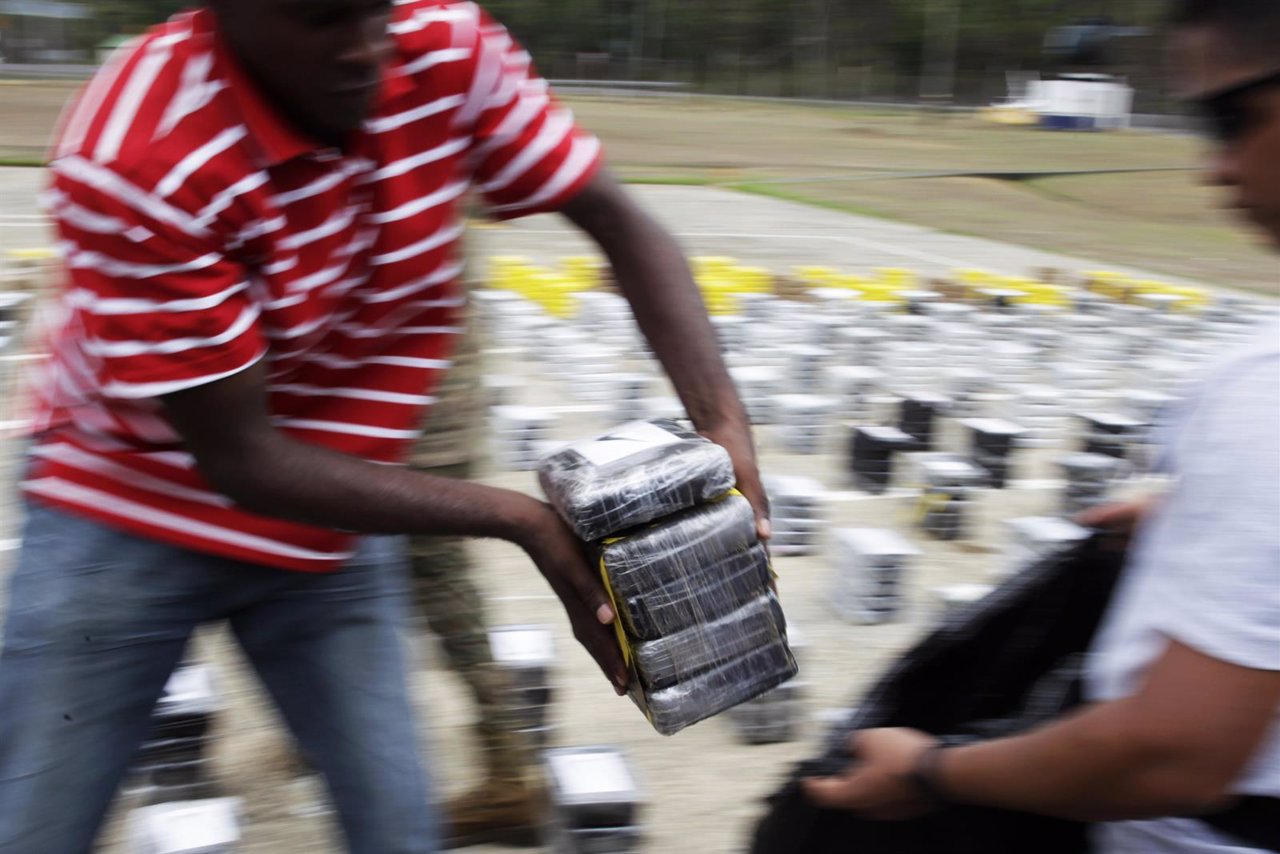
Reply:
x=259, y=208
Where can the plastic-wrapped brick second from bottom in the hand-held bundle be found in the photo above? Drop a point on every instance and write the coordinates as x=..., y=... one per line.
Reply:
x=661, y=664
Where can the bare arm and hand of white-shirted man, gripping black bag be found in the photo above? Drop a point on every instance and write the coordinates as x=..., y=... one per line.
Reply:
x=1172, y=750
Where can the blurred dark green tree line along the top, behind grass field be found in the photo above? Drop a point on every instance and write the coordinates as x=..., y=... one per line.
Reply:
x=844, y=49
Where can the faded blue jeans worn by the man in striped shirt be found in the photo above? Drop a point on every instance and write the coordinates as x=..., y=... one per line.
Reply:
x=99, y=619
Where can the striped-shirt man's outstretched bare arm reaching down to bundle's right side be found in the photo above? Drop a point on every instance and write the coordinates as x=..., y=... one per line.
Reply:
x=656, y=280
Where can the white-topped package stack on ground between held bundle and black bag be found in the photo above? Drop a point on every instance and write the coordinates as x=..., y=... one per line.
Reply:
x=870, y=569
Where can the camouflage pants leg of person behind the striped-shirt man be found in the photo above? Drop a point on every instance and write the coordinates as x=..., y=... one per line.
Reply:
x=446, y=596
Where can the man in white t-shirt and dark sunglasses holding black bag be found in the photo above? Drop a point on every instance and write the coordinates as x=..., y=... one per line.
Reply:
x=1186, y=674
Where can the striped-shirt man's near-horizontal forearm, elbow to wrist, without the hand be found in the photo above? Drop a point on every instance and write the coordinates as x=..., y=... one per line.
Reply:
x=280, y=477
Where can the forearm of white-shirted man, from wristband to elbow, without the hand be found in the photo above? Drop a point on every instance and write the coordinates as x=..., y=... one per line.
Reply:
x=1099, y=765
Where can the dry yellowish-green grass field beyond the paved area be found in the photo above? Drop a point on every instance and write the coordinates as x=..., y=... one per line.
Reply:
x=947, y=172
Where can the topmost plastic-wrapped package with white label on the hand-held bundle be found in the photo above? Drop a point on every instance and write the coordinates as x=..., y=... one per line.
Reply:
x=636, y=474
